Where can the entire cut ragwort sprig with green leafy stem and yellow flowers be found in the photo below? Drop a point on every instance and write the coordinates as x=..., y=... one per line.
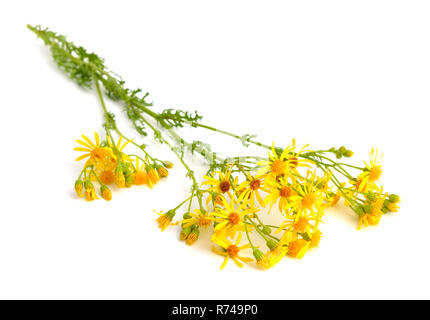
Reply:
x=237, y=193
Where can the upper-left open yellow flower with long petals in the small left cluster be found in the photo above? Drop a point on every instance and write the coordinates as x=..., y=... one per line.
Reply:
x=98, y=156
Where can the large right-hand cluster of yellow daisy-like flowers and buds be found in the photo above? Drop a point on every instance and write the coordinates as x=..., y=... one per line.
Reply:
x=236, y=197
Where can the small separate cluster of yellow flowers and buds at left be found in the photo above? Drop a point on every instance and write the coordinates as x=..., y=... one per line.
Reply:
x=107, y=164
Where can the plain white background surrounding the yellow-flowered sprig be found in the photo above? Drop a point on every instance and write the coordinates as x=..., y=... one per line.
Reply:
x=328, y=73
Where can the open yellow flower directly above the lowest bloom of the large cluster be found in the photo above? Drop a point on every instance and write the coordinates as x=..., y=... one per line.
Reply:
x=230, y=218
